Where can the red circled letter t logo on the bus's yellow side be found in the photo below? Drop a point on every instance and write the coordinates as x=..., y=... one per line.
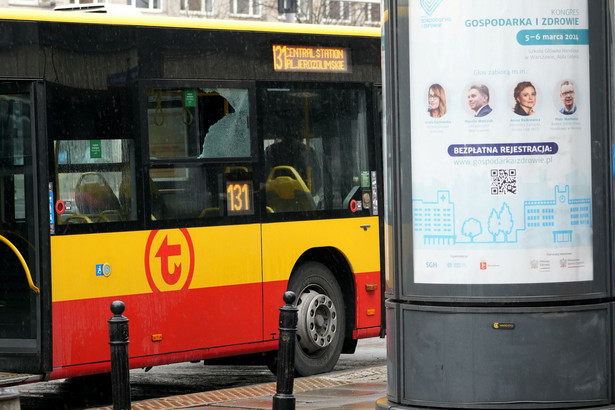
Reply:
x=169, y=260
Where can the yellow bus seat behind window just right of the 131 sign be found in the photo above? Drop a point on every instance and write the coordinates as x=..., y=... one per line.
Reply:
x=286, y=191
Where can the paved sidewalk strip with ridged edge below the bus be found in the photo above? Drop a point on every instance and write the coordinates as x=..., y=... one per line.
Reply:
x=356, y=389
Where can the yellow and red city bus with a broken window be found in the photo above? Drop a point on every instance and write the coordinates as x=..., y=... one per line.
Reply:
x=194, y=170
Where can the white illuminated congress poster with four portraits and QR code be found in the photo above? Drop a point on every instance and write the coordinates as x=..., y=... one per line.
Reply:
x=500, y=140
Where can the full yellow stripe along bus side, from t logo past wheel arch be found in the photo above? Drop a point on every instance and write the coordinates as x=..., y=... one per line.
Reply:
x=123, y=263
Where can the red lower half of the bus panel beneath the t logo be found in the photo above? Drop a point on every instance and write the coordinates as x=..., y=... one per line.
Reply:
x=186, y=319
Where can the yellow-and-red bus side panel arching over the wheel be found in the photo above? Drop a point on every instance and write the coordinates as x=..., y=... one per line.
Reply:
x=284, y=243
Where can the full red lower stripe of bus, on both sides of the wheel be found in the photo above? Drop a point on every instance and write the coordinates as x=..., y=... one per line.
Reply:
x=191, y=324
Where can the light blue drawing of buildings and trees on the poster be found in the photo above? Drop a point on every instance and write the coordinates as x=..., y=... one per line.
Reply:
x=556, y=220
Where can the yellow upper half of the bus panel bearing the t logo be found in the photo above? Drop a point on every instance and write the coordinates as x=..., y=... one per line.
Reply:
x=120, y=263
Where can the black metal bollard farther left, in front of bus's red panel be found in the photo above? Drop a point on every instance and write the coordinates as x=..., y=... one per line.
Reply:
x=118, y=339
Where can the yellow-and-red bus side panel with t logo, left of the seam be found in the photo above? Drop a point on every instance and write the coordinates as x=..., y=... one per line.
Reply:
x=183, y=289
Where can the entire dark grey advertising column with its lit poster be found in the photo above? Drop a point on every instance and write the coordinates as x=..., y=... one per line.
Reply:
x=498, y=204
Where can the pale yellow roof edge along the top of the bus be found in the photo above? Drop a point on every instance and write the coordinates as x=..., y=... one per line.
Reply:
x=182, y=22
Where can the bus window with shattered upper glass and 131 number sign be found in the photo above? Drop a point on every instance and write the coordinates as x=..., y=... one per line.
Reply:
x=187, y=127
